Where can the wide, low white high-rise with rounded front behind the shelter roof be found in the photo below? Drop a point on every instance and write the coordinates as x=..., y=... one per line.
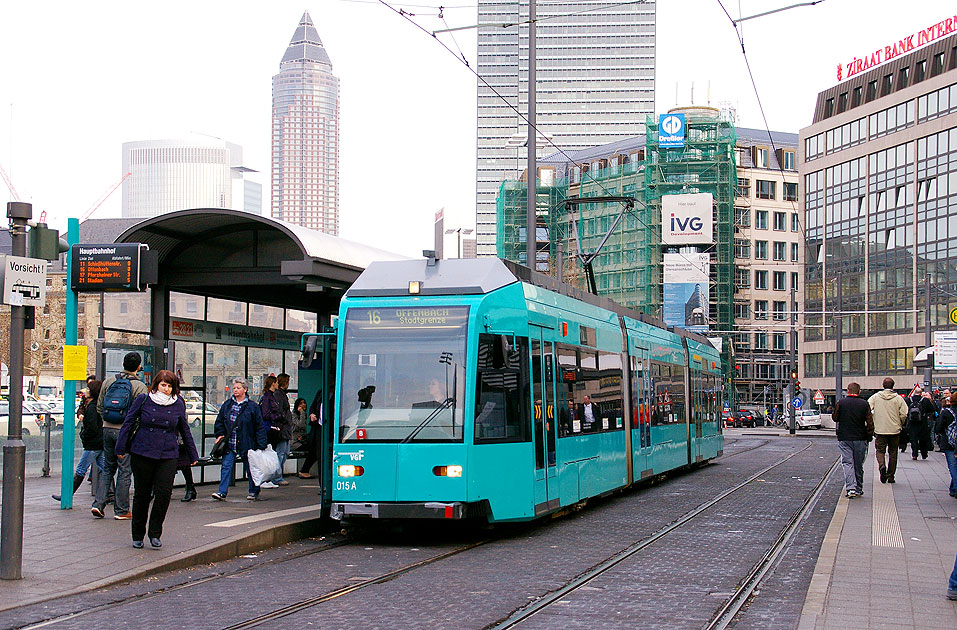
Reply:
x=198, y=172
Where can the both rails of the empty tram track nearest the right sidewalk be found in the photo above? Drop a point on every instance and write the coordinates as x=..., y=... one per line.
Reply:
x=737, y=599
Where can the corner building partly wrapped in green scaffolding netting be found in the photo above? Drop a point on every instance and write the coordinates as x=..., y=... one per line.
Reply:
x=629, y=256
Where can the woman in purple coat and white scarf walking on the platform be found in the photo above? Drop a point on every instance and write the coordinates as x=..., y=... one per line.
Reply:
x=154, y=452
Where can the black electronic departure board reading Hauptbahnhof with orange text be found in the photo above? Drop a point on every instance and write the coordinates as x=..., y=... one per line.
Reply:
x=111, y=267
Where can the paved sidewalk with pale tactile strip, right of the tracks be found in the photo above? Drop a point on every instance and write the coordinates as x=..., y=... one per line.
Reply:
x=887, y=555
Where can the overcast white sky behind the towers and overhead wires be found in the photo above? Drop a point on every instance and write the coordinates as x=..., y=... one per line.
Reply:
x=79, y=79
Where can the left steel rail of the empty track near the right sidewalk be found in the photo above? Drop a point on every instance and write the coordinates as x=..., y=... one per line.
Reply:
x=524, y=613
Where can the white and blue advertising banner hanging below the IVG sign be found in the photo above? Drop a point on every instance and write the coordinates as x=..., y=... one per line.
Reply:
x=686, y=291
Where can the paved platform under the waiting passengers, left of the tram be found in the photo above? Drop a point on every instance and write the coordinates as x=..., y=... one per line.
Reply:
x=70, y=551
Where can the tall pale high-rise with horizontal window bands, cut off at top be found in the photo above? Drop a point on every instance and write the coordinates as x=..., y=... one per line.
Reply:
x=595, y=77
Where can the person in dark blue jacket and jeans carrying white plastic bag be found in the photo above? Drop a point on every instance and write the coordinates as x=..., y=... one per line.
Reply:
x=241, y=423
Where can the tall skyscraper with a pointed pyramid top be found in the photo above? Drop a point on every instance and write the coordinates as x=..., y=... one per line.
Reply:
x=305, y=134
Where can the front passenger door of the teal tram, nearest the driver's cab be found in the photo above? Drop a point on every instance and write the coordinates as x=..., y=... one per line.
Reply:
x=543, y=413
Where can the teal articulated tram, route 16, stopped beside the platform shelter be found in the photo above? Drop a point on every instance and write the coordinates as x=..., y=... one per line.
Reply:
x=478, y=389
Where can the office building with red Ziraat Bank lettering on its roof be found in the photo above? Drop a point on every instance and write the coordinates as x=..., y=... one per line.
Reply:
x=878, y=170
